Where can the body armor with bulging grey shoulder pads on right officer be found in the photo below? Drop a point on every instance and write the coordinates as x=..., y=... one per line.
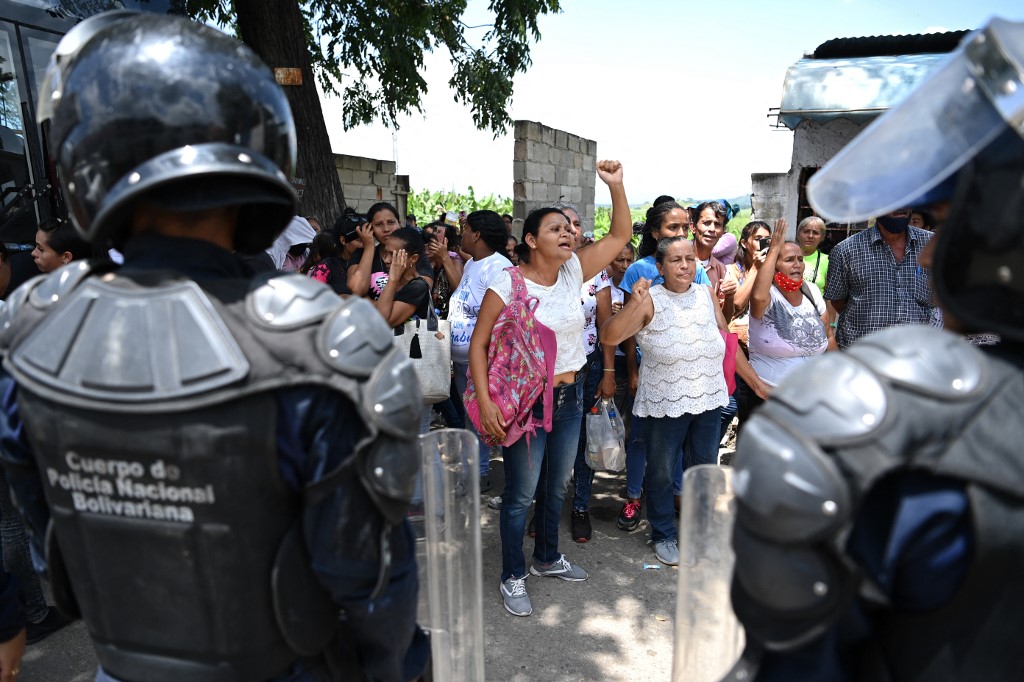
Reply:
x=902, y=400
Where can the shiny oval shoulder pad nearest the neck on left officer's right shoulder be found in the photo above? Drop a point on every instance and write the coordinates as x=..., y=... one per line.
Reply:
x=290, y=302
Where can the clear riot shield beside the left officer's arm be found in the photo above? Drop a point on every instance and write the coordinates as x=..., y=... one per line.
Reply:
x=451, y=606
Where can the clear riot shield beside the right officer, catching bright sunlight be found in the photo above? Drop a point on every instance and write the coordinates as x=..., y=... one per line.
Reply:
x=709, y=638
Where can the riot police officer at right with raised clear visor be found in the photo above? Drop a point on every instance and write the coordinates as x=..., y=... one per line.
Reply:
x=880, y=518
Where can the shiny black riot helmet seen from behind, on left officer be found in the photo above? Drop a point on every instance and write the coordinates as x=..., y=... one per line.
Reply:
x=163, y=109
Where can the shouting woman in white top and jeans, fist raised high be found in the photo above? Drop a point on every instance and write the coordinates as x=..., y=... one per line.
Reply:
x=541, y=465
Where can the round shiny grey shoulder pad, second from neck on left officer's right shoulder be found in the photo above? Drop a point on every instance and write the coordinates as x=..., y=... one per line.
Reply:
x=355, y=339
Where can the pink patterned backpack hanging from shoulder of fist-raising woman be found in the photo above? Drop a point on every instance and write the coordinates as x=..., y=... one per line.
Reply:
x=521, y=368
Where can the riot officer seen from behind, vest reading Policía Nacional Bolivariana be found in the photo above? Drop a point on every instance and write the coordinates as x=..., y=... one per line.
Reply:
x=221, y=465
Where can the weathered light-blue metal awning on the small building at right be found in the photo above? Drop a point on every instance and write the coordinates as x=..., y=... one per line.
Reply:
x=857, y=89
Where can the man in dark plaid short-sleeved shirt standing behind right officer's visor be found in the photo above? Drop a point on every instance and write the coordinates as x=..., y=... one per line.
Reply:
x=875, y=281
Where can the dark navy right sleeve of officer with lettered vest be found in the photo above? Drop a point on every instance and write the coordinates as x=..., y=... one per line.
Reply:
x=345, y=534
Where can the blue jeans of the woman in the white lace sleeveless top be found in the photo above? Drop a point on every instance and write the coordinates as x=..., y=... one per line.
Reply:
x=699, y=437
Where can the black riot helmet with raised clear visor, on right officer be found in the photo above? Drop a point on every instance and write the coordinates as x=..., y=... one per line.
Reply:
x=958, y=138
